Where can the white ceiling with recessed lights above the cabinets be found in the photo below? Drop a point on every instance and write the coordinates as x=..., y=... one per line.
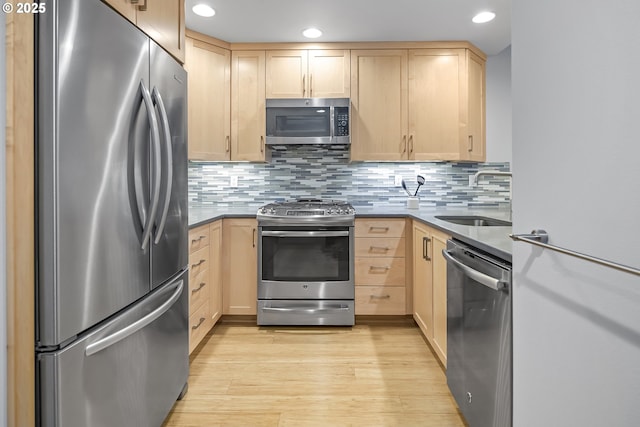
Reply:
x=239, y=21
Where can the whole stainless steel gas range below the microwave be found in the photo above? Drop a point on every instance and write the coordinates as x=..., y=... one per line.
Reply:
x=306, y=263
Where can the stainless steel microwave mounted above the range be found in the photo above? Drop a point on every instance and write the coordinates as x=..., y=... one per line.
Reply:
x=308, y=121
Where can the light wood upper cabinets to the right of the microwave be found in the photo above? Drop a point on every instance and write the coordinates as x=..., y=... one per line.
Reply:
x=417, y=104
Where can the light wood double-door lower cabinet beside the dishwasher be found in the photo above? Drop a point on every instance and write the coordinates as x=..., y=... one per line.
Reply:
x=430, y=286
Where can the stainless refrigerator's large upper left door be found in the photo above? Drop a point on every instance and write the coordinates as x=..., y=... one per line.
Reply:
x=93, y=150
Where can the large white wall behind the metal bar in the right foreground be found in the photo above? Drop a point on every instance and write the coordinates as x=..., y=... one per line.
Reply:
x=576, y=171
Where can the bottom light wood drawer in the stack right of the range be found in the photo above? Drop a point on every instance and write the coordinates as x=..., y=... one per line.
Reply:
x=380, y=300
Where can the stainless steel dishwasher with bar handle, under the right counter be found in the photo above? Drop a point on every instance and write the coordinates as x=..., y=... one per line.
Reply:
x=479, y=343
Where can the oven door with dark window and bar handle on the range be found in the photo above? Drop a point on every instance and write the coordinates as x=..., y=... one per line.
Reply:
x=306, y=262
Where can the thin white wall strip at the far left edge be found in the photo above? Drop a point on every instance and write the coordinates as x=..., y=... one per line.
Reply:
x=3, y=240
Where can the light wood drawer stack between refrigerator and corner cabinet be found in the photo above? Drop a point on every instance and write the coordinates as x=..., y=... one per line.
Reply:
x=205, y=290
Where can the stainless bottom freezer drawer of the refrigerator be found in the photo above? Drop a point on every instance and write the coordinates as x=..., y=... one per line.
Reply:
x=128, y=372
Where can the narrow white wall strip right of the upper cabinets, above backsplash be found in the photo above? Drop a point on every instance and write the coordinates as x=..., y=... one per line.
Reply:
x=499, y=106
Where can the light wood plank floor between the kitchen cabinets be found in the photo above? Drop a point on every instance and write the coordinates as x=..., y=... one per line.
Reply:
x=368, y=375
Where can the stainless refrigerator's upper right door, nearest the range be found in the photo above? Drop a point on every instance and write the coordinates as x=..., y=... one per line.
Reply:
x=169, y=252
